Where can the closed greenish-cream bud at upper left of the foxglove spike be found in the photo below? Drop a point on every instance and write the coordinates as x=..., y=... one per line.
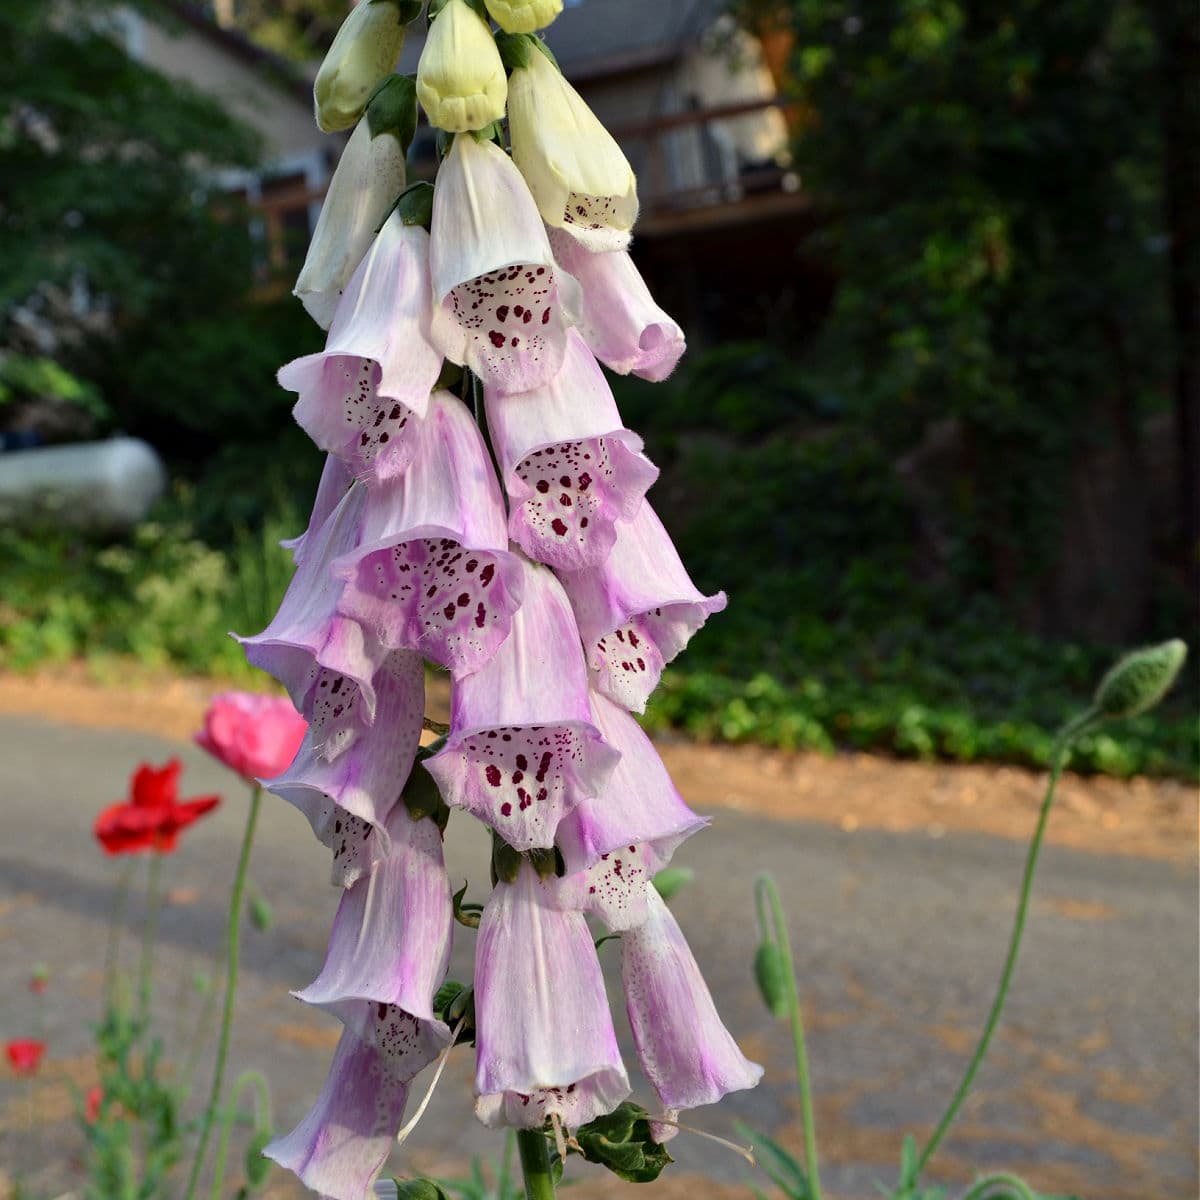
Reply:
x=363, y=56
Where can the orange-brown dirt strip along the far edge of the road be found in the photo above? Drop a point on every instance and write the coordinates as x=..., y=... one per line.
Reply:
x=1150, y=819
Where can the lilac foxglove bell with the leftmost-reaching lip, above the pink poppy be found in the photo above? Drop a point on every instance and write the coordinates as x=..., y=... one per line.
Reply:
x=308, y=634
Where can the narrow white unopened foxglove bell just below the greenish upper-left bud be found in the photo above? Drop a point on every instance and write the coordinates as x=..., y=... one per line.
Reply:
x=370, y=176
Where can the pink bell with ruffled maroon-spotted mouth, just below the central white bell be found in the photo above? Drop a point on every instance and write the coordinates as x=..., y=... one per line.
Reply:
x=572, y=470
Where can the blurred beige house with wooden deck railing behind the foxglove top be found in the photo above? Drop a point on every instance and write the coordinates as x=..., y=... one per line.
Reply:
x=693, y=100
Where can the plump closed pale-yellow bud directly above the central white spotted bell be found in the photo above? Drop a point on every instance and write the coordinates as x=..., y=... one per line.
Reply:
x=460, y=79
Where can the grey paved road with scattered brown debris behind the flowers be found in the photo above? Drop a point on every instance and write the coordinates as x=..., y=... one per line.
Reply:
x=1091, y=1085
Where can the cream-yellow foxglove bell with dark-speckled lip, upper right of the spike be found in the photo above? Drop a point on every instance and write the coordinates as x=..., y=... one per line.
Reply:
x=579, y=176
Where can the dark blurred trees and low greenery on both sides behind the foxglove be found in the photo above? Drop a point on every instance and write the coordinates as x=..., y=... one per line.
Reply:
x=997, y=209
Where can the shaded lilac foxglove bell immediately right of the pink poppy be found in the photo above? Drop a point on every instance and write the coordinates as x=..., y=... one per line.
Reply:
x=349, y=799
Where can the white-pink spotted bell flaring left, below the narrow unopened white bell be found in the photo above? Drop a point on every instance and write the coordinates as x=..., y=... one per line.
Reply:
x=362, y=394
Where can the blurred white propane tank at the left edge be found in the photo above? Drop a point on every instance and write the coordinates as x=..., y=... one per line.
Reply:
x=101, y=487
